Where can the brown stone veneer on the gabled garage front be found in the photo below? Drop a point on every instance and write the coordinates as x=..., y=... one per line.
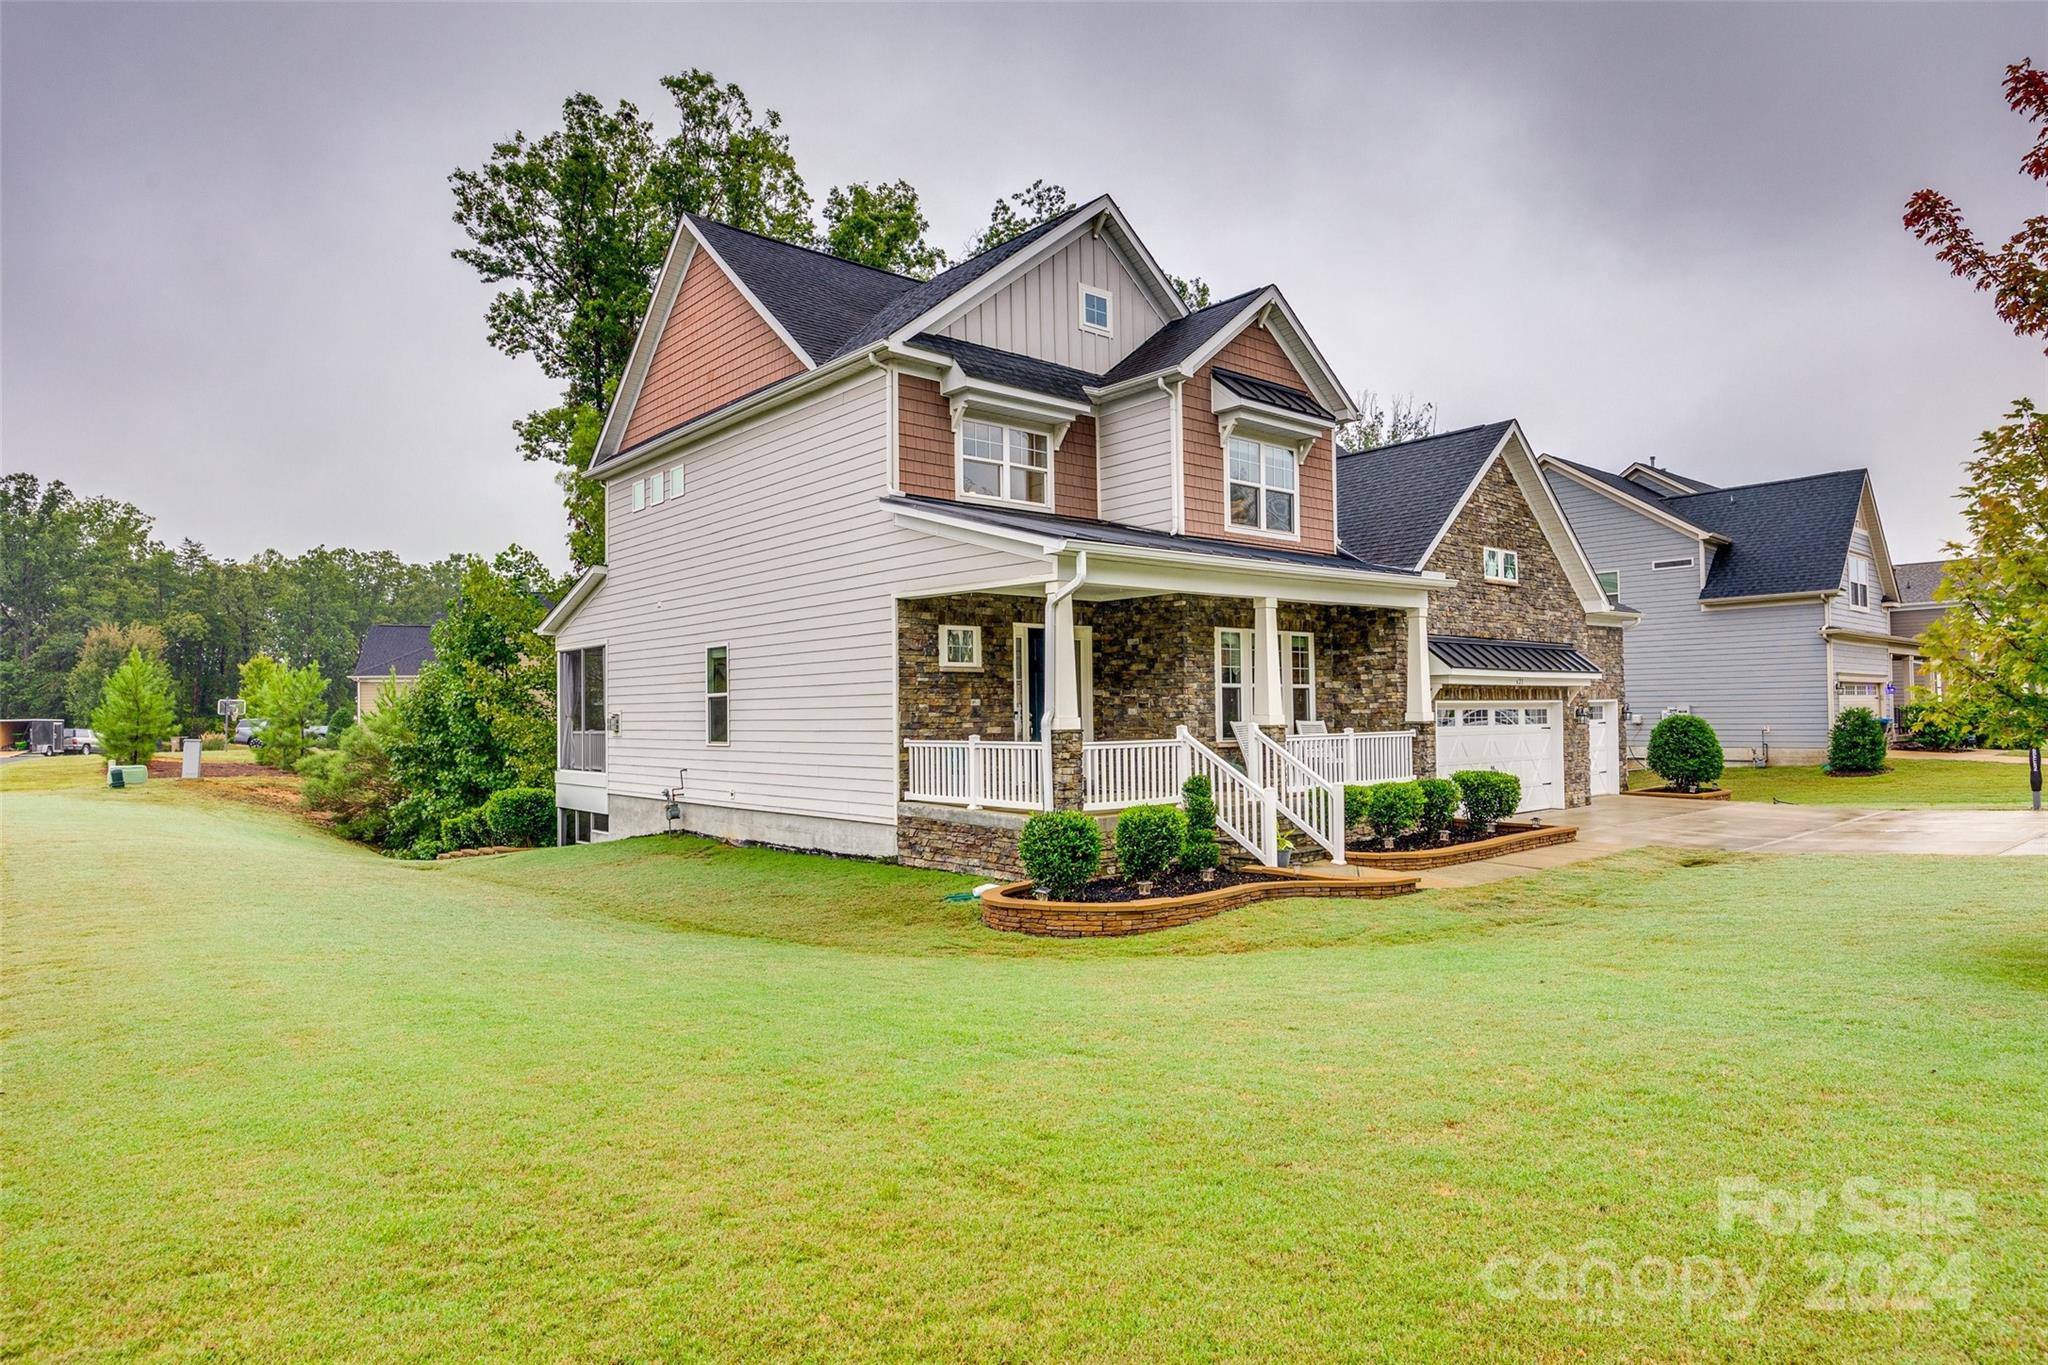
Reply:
x=1541, y=607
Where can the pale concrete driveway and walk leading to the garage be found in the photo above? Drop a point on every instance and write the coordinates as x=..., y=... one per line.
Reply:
x=1617, y=824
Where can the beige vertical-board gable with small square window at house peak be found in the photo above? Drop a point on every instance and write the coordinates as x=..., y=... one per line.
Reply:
x=1039, y=314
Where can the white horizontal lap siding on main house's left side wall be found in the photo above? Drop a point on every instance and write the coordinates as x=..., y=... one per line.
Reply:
x=781, y=552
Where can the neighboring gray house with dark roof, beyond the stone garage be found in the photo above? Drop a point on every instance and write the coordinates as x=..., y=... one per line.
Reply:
x=1766, y=609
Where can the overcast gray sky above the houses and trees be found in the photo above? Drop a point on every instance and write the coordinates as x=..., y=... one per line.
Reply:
x=1644, y=230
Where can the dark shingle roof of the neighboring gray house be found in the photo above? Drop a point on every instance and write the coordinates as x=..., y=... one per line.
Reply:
x=1785, y=537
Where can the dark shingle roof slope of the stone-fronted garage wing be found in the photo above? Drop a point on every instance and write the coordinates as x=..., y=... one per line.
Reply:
x=1392, y=500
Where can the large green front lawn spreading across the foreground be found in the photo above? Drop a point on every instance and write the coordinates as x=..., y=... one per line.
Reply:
x=269, y=1096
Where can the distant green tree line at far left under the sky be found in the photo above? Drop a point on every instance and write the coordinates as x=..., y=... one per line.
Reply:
x=85, y=582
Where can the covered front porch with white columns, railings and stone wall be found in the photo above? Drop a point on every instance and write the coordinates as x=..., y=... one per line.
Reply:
x=1111, y=685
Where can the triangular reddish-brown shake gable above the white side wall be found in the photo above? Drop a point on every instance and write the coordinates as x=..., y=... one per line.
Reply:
x=714, y=349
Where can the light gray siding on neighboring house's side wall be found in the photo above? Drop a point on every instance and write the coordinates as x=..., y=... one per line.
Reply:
x=1738, y=668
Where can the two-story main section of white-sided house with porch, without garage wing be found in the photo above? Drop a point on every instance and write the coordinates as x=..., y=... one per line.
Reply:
x=894, y=562
